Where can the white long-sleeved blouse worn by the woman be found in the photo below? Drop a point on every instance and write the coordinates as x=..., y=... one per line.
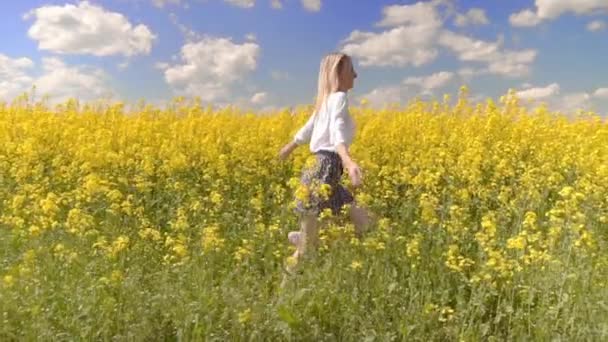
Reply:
x=330, y=126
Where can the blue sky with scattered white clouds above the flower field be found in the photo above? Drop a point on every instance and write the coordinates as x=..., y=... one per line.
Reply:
x=265, y=53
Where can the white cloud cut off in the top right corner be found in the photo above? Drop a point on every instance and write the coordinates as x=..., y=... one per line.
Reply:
x=551, y=9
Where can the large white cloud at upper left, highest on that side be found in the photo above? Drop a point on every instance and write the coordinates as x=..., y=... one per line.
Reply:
x=87, y=29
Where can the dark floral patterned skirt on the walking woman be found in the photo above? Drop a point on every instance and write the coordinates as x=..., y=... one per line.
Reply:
x=320, y=186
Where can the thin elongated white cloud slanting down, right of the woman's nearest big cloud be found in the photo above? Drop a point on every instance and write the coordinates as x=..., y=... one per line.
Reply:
x=499, y=61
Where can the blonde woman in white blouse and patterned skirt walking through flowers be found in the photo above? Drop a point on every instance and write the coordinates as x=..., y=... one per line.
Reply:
x=329, y=132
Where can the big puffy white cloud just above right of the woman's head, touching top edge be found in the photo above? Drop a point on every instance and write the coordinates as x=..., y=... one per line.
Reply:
x=409, y=39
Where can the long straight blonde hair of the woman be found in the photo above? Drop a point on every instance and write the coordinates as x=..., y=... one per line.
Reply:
x=329, y=76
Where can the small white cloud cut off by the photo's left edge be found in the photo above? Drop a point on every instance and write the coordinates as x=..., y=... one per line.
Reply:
x=14, y=77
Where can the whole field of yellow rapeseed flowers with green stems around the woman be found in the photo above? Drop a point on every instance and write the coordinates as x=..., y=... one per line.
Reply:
x=150, y=224
